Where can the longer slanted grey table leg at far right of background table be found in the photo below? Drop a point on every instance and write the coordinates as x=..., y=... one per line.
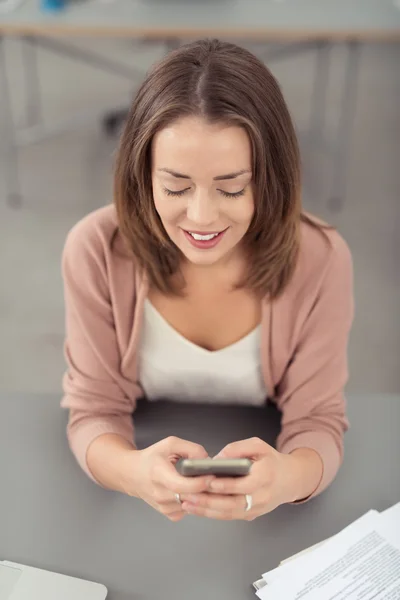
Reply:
x=342, y=146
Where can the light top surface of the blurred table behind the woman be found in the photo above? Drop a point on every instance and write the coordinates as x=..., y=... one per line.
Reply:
x=282, y=20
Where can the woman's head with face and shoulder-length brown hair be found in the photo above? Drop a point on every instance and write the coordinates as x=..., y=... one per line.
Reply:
x=208, y=110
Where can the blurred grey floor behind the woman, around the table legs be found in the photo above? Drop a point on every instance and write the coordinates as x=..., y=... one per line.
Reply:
x=66, y=177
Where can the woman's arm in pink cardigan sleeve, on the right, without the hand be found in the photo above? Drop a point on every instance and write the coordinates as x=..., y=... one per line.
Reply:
x=310, y=394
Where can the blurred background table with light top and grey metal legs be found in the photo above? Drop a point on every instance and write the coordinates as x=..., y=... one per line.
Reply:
x=298, y=25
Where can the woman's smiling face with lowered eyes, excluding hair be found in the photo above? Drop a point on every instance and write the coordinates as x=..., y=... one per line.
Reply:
x=201, y=177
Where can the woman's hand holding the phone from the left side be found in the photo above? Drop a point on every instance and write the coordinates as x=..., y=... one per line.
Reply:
x=154, y=478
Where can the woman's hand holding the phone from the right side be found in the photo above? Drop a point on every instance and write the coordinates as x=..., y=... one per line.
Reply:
x=274, y=479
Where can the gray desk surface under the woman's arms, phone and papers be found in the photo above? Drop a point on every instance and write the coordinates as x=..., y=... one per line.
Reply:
x=53, y=517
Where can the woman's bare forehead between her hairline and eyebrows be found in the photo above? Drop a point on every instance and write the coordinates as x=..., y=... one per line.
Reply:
x=195, y=147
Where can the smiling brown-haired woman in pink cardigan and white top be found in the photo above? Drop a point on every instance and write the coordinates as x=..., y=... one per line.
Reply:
x=206, y=275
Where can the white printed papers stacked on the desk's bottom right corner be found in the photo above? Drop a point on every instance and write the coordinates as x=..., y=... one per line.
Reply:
x=360, y=563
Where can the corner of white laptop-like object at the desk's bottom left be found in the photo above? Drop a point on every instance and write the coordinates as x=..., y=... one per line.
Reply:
x=19, y=582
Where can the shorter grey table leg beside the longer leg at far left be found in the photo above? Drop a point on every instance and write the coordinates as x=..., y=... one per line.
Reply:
x=33, y=106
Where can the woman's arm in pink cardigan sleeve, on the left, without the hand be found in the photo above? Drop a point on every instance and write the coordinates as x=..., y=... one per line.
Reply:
x=100, y=400
